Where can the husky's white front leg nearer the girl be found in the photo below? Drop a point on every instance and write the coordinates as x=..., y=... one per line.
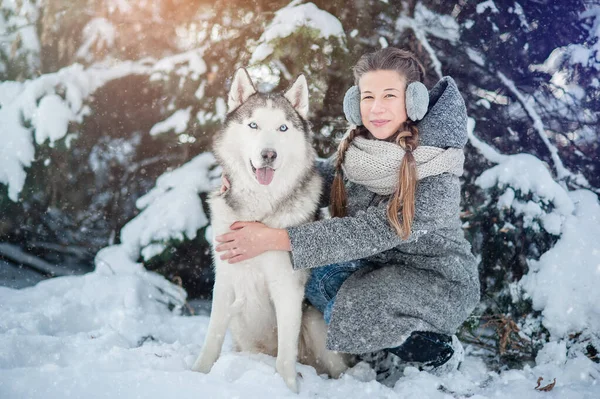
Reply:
x=287, y=297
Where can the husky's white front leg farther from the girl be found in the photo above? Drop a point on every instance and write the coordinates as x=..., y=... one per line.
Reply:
x=217, y=326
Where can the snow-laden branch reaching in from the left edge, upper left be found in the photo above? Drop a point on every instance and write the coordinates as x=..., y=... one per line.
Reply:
x=41, y=109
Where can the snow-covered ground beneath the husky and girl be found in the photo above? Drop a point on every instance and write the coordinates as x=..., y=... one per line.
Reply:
x=110, y=334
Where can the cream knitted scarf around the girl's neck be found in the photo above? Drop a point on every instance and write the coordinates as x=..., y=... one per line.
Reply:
x=374, y=164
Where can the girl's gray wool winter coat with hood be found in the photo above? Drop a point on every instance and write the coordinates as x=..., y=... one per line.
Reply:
x=428, y=282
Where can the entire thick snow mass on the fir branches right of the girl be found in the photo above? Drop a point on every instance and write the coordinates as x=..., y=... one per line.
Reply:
x=570, y=268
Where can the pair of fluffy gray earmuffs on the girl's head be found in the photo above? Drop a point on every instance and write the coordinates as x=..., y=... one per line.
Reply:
x=417, y=103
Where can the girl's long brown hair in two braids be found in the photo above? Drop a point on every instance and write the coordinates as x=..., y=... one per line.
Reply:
x=406, y=64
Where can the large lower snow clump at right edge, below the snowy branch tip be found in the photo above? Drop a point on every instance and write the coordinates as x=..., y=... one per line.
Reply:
x=563, y=282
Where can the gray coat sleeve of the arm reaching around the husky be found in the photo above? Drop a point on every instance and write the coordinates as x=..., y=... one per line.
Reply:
x=368, y=232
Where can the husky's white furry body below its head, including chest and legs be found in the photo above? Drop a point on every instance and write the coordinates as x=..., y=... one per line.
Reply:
x=261, y=299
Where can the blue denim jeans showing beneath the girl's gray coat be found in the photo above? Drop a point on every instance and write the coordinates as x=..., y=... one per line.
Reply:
x=325, y=282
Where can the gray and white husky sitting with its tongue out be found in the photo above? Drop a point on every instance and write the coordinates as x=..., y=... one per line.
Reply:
x=266, y=153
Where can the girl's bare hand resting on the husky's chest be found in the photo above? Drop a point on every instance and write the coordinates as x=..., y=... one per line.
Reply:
x=250, y=239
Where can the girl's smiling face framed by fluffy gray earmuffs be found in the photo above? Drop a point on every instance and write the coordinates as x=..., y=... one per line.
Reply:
x=382, y=102
